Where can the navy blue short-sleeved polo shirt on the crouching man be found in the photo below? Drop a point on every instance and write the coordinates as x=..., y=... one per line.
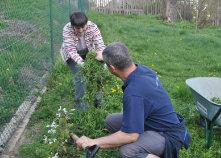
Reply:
x=146, y=105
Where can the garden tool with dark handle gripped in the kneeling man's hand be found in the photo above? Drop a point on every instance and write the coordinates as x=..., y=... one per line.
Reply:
x=90, y=151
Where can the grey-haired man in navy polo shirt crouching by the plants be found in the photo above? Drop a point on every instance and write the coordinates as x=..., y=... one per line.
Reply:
x=148, y=127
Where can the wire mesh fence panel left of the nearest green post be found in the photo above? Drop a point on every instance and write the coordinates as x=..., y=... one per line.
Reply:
x=24, y=46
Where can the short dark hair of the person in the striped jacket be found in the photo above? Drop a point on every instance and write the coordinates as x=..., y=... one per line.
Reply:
x=78, y=19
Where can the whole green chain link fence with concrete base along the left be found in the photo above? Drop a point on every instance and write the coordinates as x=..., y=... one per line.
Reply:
x=30, y=37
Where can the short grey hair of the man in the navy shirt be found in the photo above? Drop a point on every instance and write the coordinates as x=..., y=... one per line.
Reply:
x=117, y=54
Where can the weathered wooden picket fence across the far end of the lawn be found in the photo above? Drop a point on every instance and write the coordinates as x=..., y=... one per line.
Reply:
x=204, y=11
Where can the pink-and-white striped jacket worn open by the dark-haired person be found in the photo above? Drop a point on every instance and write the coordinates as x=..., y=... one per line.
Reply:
x=93, y=40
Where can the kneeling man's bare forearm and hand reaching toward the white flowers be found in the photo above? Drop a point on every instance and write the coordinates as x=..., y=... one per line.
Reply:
x=114, y=140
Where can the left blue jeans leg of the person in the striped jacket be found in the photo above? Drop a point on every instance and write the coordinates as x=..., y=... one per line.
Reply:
x=78, y=84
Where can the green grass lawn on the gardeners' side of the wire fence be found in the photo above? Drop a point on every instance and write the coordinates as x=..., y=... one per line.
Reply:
x=175, y=51
